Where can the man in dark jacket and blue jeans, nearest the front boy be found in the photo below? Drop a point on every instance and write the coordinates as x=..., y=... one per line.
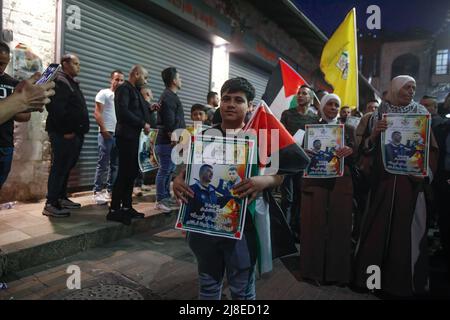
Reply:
x=171, y=118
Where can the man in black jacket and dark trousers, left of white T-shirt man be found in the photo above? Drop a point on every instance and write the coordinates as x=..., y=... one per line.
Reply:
x=67, y=123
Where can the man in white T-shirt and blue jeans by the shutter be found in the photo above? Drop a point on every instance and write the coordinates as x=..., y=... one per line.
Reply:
x=105, y=115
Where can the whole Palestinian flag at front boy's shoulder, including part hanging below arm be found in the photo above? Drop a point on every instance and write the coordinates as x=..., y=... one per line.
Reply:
x=274, y=236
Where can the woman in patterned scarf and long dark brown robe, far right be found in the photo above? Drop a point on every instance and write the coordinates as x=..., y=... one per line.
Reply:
x=393, y=230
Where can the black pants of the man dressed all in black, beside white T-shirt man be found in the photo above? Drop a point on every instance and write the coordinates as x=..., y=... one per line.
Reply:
x=128, y=171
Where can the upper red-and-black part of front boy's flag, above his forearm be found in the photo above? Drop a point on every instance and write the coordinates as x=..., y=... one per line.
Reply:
x=290, y=156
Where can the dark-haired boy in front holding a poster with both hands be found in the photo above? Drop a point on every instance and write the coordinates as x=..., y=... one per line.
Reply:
x=216, y=255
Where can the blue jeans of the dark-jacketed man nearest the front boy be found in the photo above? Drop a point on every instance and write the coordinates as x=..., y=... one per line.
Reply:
x=165, y=171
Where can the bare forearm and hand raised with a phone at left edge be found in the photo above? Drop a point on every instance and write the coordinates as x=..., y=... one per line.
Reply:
x=27, y=94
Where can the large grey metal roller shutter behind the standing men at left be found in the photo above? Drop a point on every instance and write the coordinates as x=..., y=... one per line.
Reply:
x=115, y=36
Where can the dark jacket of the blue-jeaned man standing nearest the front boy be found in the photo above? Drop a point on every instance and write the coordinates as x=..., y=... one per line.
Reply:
x=170, y=116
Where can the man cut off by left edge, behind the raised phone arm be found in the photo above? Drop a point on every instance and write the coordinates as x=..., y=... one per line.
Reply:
x=7, y=86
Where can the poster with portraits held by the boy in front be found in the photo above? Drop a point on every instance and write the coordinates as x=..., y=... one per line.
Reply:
x=215, y=166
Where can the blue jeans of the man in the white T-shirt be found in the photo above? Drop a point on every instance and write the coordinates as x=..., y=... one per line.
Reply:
x=107, y=164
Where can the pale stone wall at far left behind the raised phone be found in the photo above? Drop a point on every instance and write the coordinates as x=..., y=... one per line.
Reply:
x=33, y=24
